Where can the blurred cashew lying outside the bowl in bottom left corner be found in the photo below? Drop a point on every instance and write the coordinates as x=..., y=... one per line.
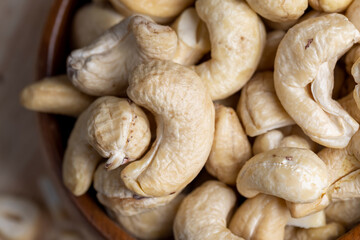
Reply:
x=19, y=218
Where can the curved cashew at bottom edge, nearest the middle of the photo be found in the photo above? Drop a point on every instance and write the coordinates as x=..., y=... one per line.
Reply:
x=204, y=212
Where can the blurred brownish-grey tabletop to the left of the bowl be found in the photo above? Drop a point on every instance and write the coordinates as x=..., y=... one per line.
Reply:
x=24, y=171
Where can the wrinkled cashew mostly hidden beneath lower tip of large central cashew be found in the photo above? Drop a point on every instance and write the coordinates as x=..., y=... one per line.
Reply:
x=113, y=194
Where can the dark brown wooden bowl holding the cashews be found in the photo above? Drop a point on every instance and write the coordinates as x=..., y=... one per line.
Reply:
x=55, y=129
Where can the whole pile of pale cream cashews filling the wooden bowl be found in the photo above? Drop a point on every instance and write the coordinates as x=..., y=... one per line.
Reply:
x=185, y=108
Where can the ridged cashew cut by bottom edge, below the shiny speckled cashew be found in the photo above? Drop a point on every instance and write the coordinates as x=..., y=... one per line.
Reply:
x=261, y=217
